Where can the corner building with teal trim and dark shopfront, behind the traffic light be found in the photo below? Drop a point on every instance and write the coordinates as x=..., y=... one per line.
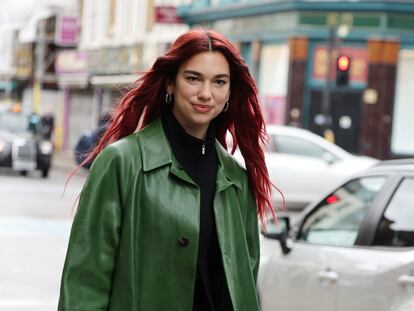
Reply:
x=292, y=47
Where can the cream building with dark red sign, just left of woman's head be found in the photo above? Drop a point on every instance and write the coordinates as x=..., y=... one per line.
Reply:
x=122, y=39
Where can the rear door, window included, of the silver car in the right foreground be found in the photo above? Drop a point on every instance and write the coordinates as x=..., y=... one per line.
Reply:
x=380, y=276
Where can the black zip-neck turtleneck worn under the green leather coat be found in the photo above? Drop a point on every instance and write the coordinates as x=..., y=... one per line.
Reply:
x=199, y=160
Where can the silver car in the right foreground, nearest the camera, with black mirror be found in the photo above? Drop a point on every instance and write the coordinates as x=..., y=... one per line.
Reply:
x=351, y=250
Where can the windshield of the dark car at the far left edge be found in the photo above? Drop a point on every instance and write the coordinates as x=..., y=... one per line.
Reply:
x=18, y=123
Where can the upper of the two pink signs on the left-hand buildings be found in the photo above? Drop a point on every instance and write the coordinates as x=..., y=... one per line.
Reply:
x=67, y=30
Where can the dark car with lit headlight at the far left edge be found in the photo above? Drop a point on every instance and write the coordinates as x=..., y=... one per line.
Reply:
x=22, y=147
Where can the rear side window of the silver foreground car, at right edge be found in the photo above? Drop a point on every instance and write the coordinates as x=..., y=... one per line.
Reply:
x=396, y=227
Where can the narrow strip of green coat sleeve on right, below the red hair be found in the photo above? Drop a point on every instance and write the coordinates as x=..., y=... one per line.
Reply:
x=252, y=230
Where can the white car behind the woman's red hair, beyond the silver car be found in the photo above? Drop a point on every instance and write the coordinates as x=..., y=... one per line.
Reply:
x=304, y=165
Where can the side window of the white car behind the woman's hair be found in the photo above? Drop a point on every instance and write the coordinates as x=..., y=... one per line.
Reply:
x=297, y=146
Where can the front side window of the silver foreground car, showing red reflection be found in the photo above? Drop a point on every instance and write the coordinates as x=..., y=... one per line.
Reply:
x=337, y=219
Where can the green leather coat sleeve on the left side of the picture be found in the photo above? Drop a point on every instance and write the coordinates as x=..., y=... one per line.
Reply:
x=90, y=259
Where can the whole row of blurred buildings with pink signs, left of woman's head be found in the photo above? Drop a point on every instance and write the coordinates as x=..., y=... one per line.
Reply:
x=77, y=60
